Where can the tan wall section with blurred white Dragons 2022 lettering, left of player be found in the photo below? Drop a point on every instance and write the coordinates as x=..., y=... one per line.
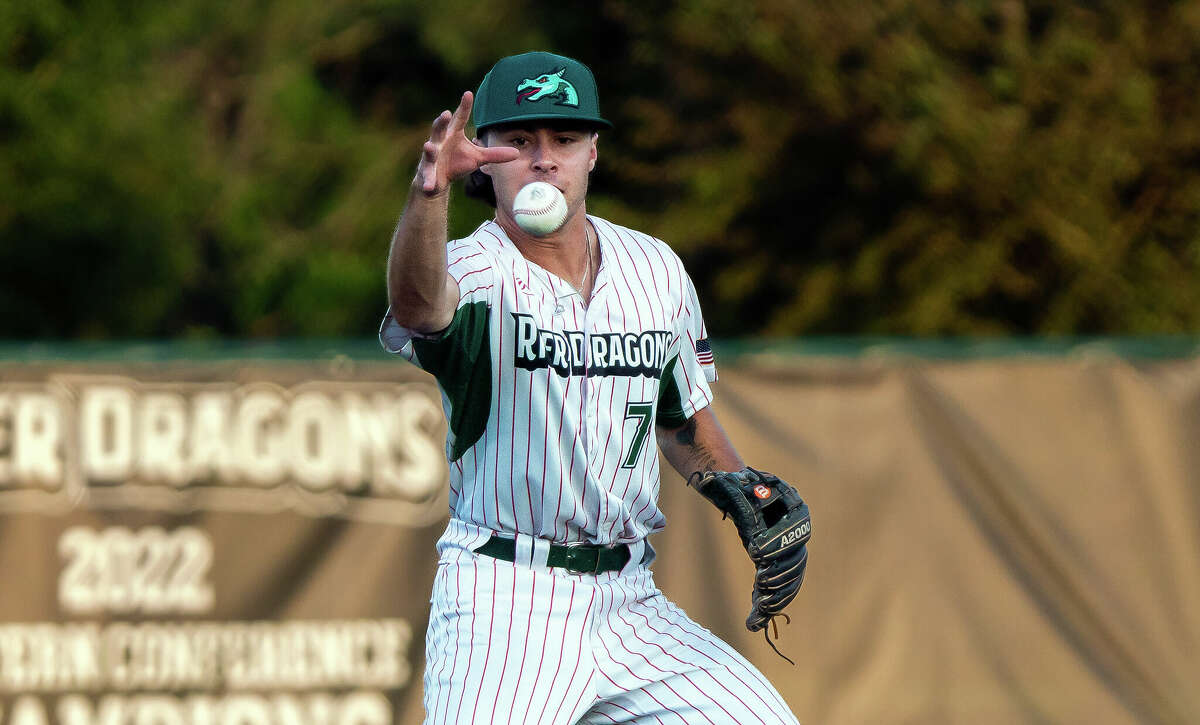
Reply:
x=217, y=544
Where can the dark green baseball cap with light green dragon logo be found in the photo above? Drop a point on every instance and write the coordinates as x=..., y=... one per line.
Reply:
x=533, y=87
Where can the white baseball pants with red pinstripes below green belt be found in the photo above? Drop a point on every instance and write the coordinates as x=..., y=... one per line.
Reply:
x=518, y=643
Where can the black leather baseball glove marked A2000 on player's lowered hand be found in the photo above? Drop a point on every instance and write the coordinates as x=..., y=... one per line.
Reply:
x=773, y=523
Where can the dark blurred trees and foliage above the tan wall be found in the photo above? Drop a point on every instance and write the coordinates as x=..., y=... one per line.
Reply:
x=899, y=167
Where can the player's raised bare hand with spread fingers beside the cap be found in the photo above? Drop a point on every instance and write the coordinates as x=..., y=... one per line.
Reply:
x=451, y=155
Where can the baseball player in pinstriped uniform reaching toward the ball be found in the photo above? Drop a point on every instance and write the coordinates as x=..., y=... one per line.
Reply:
x=556, y=357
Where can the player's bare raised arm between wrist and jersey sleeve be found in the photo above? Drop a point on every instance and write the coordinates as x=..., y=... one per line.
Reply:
x=421, y=292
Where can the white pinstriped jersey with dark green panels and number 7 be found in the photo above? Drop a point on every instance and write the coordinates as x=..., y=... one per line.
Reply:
x=553, y=404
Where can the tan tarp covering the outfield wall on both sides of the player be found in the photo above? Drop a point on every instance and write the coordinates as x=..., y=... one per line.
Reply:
x=994, y=542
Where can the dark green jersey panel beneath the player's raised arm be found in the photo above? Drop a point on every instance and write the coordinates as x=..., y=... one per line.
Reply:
x=461, y=361
